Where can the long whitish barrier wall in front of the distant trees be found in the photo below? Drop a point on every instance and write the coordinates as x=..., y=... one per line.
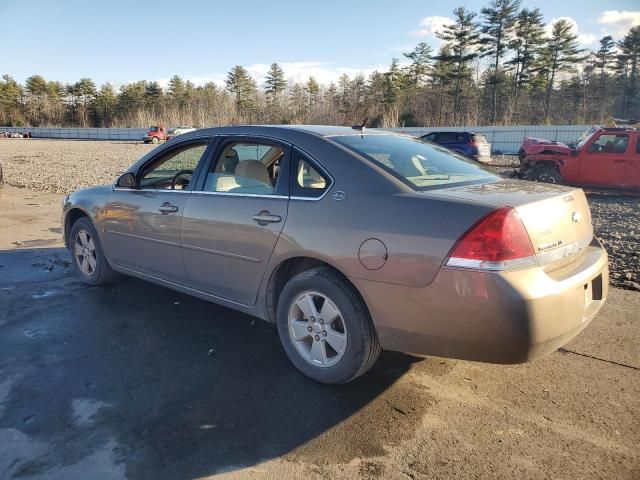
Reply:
x=502, y=139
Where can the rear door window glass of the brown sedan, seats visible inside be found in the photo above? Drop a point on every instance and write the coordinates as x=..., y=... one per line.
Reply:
x=245, y=168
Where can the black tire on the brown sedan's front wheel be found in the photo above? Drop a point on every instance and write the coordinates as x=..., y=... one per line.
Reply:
x=102, y=273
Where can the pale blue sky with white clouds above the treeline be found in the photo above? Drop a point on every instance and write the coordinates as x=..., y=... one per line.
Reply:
x=119, y=41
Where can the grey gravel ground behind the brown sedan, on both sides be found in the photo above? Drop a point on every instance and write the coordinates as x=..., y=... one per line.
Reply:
x=61, y=166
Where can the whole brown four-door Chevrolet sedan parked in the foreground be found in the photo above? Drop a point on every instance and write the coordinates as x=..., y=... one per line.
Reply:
x=351, y=241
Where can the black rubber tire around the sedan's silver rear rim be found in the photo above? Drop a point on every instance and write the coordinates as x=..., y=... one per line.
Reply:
x=363, y=347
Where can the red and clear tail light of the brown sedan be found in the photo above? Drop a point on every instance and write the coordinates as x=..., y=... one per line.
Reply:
x=499, y=241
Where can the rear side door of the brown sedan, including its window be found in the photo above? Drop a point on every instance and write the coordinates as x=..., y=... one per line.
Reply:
x=234, y=217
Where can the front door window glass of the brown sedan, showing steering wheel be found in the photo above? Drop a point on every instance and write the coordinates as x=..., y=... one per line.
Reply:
x=174, y=169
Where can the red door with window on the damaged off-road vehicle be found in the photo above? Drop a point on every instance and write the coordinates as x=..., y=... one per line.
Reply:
x=603, y=160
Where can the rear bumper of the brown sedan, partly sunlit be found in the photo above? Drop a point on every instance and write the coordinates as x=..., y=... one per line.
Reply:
x=496, y=317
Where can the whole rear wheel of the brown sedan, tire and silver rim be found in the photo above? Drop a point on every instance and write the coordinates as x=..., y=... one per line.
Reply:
x=325, y=327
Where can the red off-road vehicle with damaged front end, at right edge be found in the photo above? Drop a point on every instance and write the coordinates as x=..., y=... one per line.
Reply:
x=600, y=157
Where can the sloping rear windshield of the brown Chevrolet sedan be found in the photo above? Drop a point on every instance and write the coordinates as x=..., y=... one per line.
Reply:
x=420, y=165
